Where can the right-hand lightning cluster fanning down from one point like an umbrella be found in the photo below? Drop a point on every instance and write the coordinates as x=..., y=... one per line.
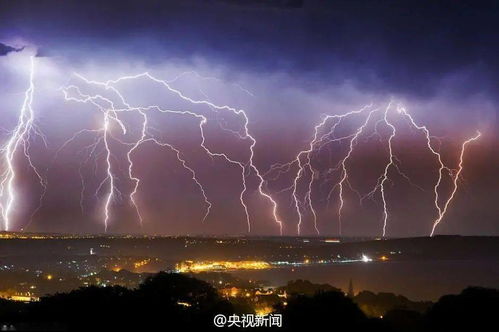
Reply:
x=303, y=163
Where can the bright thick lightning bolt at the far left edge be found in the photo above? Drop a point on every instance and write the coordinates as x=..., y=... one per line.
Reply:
x=20, y=140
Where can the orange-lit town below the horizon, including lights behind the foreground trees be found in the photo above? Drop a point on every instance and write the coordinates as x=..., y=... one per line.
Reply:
x=107, y=261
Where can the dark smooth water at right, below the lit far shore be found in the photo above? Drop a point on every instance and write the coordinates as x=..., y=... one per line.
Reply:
x=417, y=280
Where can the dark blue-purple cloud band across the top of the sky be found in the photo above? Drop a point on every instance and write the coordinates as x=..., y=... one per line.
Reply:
x=401, y=47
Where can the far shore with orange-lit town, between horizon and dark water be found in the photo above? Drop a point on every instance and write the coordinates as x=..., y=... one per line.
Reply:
x=67, y=262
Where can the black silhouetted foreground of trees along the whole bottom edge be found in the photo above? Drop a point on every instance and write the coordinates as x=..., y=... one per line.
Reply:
x=168, y=301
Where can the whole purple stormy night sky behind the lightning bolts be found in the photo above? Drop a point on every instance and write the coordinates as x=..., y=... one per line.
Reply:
x=287, y=63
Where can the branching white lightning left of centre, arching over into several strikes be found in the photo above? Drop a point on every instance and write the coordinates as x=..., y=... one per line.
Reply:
x=111, y=112
